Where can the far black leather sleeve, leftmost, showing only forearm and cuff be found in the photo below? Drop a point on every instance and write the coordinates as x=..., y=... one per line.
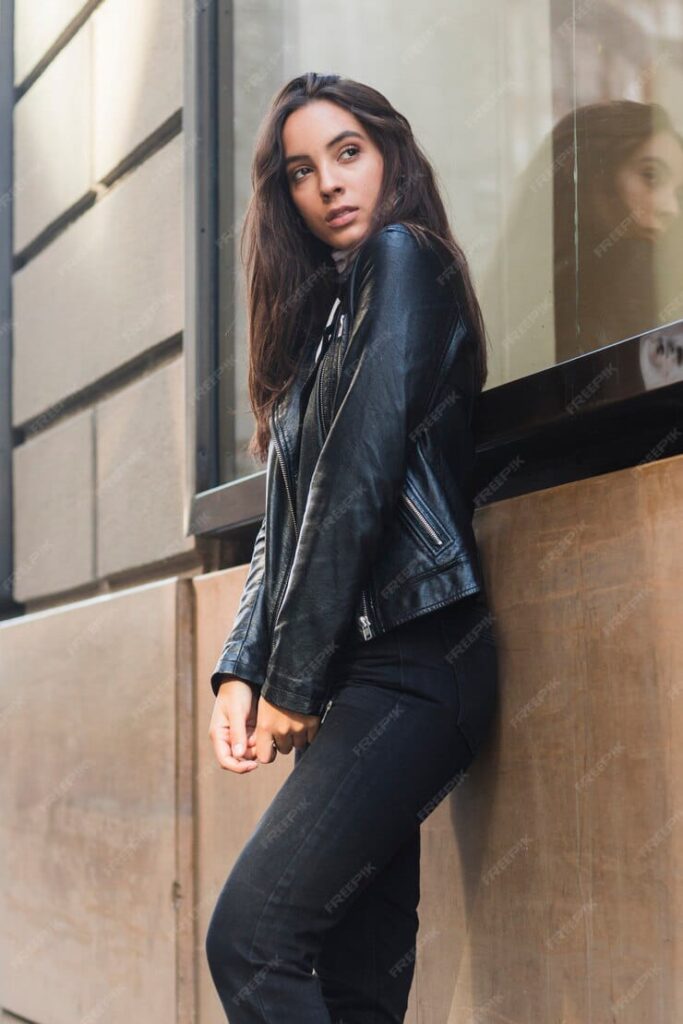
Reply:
x=245, y=653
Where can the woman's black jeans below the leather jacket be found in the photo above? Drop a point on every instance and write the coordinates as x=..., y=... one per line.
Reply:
x=317, y=923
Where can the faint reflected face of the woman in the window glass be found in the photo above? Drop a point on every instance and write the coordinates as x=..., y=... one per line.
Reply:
x=649, y=186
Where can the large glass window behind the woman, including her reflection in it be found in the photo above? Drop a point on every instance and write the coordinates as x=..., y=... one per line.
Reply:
x=554, y=130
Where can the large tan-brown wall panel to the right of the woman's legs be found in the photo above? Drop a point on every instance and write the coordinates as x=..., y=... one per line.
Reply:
x=551, y=876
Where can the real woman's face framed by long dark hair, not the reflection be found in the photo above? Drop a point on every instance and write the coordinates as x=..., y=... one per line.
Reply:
x=327, y=172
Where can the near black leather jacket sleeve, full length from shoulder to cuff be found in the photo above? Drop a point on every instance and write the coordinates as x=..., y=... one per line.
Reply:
x=398, y=339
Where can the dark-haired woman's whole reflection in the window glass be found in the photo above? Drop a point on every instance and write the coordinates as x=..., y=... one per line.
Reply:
x=618, y=228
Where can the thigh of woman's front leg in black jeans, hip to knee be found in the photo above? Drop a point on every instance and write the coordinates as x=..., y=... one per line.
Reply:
x=379, y=764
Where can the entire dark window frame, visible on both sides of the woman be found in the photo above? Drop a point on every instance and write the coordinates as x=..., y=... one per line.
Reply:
x=544, y=424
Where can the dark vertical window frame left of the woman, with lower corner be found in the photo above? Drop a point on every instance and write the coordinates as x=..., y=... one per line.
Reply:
x=216, y=508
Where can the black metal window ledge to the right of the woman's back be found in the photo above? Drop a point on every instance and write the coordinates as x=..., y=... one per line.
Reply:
x=590, y=415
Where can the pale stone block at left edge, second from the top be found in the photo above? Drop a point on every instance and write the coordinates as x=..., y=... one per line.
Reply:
x=53, y=141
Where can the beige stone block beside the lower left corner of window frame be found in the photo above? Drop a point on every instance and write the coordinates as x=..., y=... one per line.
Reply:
x=141, y=473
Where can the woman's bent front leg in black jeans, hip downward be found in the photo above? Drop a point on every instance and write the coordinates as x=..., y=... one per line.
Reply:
x=379, y=764
